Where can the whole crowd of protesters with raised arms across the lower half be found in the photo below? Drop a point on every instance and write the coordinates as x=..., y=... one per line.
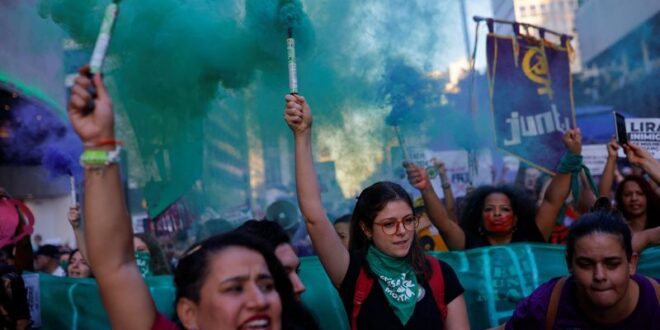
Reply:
x=375, y=256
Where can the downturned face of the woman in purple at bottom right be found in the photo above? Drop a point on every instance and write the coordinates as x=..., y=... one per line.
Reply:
x=601, y=270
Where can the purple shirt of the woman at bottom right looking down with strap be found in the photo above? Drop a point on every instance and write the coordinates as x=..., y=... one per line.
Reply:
x=530, y=313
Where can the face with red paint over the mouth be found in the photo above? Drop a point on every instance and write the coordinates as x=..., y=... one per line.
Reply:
x=498, y=217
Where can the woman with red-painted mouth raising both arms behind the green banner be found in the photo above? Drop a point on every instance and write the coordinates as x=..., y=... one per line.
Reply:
x=500, y=215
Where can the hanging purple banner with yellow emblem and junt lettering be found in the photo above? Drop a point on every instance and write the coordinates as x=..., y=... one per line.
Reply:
x=531, y=98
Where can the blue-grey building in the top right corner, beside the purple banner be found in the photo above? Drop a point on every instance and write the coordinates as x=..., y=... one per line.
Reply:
x=620, y=55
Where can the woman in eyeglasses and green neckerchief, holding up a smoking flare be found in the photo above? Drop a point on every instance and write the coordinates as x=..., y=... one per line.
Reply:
x=384, y=278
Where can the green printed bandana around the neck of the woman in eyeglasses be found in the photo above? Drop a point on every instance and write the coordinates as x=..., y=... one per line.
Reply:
x=398, y=280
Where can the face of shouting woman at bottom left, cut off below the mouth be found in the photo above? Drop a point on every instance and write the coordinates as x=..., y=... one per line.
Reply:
x=238, y=293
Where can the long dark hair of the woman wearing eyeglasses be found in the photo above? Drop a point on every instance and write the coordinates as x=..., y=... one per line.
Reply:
x=372, y=200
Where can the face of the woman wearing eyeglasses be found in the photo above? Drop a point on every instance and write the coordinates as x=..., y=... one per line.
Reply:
x=397, y=244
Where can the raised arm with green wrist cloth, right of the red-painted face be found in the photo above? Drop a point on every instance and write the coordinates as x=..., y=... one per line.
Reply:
x=560, y=186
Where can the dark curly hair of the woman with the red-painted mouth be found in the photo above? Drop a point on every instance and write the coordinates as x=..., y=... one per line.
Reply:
x=471, y=218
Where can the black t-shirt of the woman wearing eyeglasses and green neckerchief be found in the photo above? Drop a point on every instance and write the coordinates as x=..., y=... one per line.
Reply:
x=376, y=312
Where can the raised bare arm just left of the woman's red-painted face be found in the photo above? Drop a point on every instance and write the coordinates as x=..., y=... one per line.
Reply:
x=451, y=232
